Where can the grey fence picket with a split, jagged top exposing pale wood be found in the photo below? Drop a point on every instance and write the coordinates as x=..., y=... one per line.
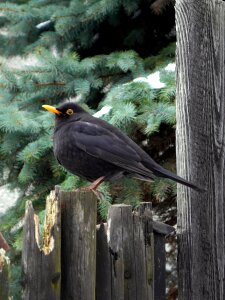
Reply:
x=41, y=265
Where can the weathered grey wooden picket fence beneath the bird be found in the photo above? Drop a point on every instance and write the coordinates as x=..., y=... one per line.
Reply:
x=122, y=259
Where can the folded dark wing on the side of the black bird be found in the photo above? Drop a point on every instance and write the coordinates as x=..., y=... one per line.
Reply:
x=102, y=143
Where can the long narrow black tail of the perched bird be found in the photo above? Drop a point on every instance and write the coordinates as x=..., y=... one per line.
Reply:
x=161, y=172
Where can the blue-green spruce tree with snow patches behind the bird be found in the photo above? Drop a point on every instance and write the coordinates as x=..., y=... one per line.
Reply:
x=99, y=53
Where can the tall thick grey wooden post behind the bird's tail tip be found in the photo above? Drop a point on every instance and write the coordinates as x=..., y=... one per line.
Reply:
x=201, y=147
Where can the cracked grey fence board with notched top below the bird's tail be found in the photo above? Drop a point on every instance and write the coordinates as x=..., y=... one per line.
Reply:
x=130, y=241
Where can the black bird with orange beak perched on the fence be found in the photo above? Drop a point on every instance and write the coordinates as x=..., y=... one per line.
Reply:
x=97, y=151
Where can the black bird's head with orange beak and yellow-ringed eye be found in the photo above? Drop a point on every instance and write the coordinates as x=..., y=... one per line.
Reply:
x=67, y=111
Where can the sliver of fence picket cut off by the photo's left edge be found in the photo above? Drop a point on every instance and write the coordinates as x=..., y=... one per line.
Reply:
x=4, y=275
